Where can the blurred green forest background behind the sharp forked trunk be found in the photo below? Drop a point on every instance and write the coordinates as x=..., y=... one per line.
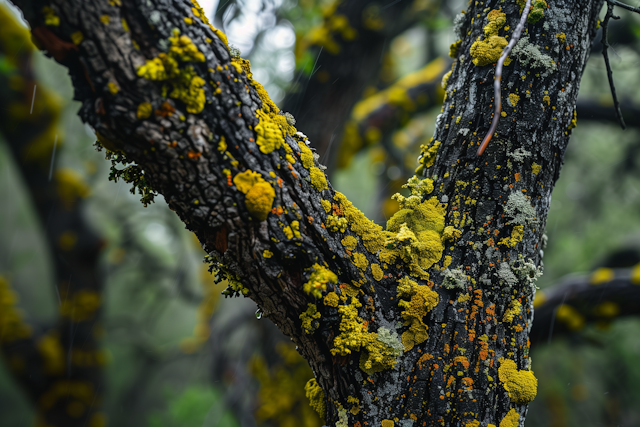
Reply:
x=167, y=349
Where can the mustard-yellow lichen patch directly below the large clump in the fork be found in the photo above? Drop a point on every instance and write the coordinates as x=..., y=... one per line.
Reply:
x=417, y=301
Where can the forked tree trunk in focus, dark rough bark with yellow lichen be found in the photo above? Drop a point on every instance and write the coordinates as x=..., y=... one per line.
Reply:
x=424, y=323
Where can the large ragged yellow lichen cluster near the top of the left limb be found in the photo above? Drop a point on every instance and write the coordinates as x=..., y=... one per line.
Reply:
x=187, y=86
